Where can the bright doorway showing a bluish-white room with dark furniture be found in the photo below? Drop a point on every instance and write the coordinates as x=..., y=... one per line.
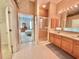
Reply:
x=26, y=28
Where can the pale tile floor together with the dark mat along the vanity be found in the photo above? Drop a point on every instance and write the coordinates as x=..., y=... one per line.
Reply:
x=40, y=51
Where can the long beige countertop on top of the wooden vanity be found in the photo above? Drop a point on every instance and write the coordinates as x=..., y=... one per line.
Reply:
x=73, y=36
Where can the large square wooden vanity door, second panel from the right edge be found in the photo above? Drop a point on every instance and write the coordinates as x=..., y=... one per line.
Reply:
x=67, y=45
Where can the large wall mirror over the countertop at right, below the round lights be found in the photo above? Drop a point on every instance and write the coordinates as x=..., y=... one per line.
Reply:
x=71, y=19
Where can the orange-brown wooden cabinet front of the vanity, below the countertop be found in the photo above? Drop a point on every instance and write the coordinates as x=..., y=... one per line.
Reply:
x=67, y=44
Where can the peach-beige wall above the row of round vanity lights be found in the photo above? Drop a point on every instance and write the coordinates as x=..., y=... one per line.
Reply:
x=64, y=4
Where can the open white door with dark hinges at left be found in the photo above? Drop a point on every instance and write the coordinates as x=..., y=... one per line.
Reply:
x=12, y=28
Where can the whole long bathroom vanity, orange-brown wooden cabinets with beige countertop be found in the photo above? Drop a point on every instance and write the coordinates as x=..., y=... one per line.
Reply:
x=65, y=41
